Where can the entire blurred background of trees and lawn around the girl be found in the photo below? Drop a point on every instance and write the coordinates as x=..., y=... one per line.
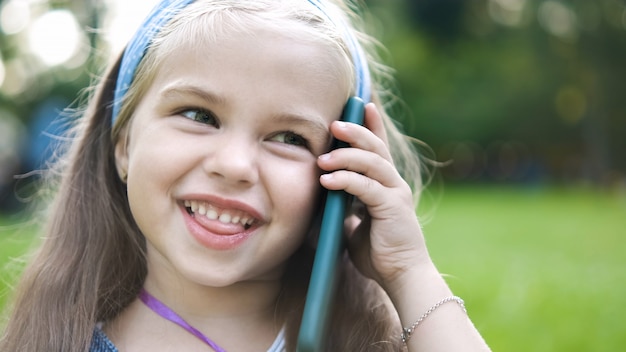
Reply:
x=521, y=101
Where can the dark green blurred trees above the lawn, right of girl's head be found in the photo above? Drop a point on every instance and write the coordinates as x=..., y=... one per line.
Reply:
x=544, y=74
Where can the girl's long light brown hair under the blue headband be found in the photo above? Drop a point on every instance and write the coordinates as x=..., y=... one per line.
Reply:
x=92, y=263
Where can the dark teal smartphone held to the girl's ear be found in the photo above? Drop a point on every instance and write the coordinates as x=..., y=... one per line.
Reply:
x=323, y=281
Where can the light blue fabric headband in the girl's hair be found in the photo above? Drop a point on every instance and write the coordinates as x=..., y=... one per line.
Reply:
x=167, y=9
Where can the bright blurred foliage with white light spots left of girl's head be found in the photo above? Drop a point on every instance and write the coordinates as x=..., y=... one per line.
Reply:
x=51, y=50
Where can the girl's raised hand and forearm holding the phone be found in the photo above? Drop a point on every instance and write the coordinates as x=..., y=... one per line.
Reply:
x=387, y=245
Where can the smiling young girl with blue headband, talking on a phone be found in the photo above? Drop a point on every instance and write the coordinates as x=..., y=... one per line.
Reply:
x=189, y=203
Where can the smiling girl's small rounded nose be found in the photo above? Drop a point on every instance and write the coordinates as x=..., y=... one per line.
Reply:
x=233, y=160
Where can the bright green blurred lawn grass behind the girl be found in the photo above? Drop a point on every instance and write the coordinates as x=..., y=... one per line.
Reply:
x=539, y=269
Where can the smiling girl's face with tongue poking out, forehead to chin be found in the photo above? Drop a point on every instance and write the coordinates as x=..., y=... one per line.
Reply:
x=221, y=155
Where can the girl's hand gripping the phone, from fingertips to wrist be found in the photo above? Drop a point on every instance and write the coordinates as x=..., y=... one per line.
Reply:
x=387, y=243
